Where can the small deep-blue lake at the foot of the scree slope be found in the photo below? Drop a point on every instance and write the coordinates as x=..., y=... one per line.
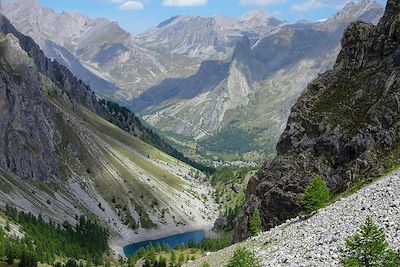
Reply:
x=172, y=241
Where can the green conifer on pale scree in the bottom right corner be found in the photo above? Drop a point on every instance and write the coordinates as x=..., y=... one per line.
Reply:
x=369, y=248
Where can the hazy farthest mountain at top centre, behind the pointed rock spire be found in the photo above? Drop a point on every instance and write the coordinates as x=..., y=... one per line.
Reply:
x=207, y=37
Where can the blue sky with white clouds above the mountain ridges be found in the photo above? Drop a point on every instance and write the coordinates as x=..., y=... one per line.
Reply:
x=138, y=15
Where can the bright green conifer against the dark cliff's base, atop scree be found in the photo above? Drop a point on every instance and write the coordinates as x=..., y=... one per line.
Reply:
x=316, y=196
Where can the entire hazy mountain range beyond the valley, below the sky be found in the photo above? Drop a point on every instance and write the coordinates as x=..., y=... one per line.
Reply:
x=218, y=87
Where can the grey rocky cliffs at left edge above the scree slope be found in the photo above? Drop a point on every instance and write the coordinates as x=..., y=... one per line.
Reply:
x=28, y=123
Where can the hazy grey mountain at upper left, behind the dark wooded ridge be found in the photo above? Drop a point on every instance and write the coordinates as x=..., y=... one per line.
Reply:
x=96, y=50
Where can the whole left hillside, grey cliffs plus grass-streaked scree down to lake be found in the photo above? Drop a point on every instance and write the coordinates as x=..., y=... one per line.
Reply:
x=61, y=159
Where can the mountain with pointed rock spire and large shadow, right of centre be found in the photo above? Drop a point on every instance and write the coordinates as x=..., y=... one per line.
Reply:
x=253, y=97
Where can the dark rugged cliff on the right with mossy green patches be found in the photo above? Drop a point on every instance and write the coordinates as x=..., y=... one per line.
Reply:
x=344, y=127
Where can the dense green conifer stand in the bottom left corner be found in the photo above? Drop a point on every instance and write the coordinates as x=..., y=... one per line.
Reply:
x=45, y=242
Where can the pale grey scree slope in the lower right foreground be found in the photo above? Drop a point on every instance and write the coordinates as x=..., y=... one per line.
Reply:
x=317, y=240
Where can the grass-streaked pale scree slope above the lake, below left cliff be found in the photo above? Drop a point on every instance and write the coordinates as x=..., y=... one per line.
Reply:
x=114, y=177
